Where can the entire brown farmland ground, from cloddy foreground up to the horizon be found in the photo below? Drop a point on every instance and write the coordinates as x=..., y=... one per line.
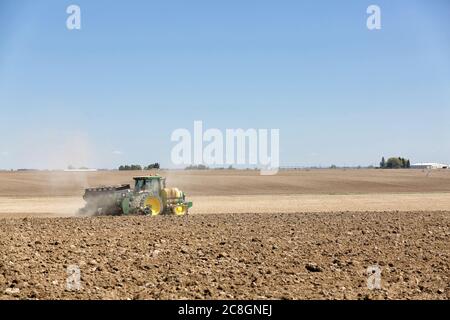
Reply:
x=249, y=236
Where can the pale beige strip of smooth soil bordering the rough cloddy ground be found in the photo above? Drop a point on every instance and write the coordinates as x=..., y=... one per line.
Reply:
x=20, y=207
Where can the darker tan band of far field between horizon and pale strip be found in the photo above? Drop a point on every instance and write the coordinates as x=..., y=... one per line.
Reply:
x=236, y=182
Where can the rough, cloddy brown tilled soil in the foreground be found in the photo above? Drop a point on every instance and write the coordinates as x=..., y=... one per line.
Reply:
x=235, y=256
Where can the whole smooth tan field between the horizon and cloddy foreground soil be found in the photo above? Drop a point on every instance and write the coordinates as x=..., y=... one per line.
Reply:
x=235, y=191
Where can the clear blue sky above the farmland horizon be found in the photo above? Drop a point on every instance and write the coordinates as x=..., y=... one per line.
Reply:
x=114, y=91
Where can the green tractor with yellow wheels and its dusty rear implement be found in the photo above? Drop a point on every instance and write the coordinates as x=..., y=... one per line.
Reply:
x=149, y=197
